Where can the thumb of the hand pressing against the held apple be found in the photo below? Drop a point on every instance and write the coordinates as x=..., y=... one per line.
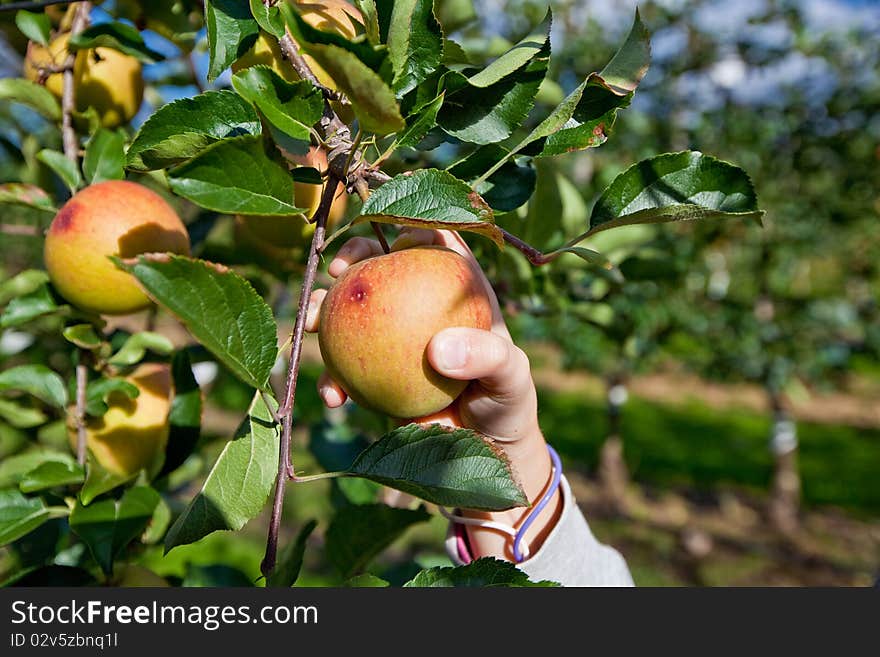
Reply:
x=501, y=367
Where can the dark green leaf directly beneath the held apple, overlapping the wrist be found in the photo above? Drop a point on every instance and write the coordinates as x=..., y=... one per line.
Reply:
x=449, y=467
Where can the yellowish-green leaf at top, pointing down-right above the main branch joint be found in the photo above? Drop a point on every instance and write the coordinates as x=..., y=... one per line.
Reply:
x=373, y=102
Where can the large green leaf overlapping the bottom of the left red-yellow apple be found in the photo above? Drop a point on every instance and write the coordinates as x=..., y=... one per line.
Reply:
x=220, y=308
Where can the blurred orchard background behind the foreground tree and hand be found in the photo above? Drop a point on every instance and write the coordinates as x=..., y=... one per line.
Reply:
x=719, y=414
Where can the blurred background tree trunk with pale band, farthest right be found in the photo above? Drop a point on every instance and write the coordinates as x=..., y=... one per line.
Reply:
x=786, y=493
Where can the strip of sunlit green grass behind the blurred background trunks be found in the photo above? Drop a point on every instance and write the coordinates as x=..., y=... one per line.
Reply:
x=695, y=446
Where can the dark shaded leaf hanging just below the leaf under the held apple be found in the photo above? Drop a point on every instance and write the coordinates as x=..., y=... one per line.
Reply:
x=358, y=533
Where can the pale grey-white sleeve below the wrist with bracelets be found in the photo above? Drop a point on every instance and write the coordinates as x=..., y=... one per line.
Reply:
x=570, y=555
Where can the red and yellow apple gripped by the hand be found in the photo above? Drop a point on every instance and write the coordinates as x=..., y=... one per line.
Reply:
x=378, y=318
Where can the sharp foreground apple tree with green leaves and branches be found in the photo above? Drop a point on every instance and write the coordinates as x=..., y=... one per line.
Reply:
x=282, y=109
